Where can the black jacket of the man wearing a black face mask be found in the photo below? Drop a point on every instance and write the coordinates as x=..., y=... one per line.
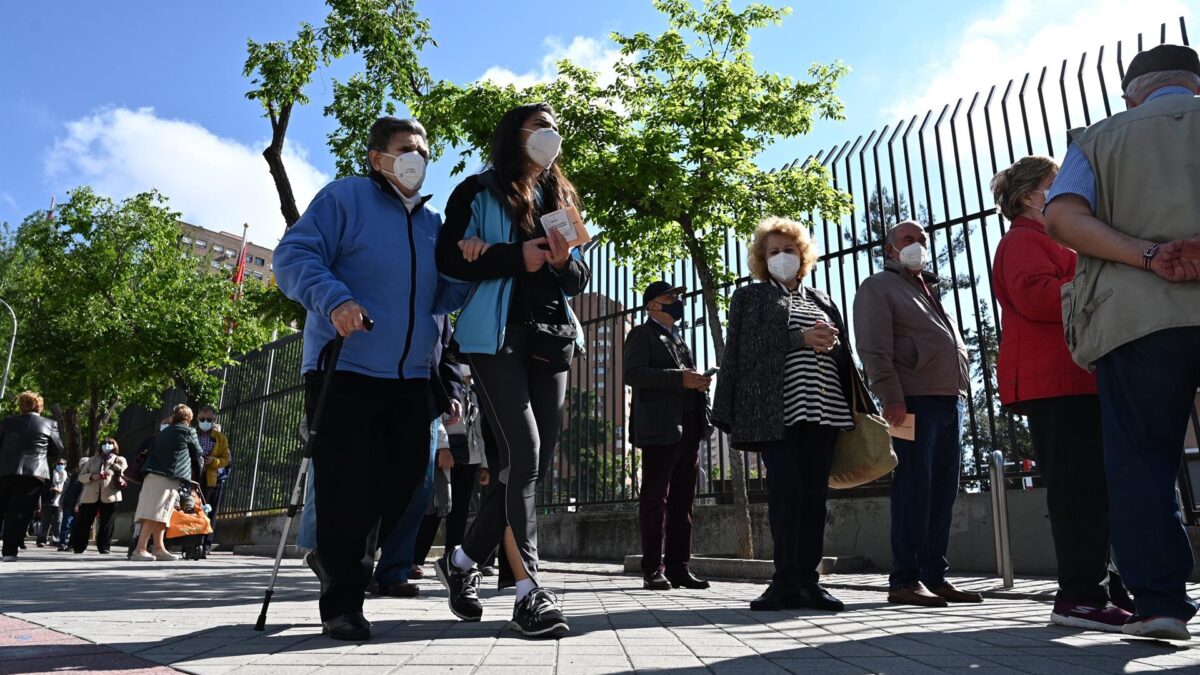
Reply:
x=655, y=366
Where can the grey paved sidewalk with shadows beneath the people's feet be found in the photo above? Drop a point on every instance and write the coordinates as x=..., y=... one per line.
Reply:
x=199, y=618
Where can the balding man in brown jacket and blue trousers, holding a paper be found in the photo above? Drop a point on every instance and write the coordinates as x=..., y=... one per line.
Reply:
x=917, y=365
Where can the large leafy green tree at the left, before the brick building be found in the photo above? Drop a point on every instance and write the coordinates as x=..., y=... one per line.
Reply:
x=112, y=312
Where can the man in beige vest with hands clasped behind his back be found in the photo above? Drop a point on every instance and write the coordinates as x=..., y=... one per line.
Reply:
x=1129, y=200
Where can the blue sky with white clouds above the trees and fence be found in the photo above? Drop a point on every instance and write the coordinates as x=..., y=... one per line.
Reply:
x=136, y=95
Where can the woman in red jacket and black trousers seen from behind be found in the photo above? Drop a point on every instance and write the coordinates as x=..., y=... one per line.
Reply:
x=1040, y=380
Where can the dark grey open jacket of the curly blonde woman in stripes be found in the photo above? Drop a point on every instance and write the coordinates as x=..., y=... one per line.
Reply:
x=749, y=399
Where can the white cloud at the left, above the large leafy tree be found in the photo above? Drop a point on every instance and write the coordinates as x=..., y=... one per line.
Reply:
x=215, y=183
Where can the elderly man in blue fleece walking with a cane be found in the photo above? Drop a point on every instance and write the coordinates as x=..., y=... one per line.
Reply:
x=365, y=249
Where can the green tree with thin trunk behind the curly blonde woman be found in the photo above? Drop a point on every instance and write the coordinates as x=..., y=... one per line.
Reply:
x=664, y=158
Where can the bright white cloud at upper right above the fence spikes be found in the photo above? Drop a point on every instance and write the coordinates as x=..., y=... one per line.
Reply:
x=1024, y=37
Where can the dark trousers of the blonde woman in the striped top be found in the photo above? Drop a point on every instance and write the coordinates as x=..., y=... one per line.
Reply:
x=797, y=486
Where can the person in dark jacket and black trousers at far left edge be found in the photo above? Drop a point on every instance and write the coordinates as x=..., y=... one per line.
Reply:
x=27, y=441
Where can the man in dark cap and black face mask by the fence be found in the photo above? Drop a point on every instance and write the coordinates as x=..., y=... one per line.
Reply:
x=670, y=416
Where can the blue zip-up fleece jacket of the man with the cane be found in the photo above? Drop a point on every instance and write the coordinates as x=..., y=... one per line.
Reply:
x=357, y=241
